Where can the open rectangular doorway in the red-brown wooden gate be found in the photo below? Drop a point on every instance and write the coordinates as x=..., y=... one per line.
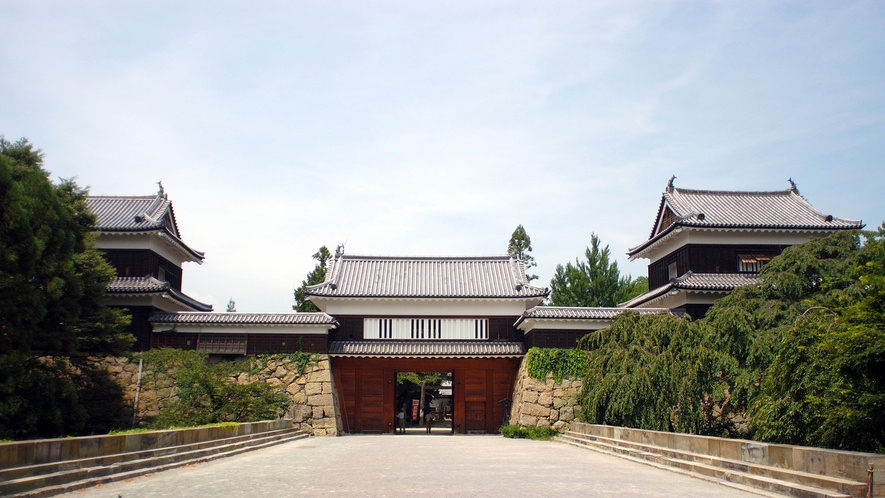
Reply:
x=423, y=402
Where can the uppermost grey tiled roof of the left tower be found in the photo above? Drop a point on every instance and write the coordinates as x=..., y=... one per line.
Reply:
x=133, y=214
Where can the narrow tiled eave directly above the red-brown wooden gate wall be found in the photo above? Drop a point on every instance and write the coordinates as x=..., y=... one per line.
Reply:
x=426, y=349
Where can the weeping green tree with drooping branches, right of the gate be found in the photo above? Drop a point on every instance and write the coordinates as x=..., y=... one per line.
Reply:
x=656, y=372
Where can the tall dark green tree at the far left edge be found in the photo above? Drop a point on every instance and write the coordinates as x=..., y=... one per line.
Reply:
x=52, y=302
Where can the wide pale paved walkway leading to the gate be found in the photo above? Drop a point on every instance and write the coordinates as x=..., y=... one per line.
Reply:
x=409, y=465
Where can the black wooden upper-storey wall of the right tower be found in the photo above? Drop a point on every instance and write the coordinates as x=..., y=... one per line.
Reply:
x=705, y=259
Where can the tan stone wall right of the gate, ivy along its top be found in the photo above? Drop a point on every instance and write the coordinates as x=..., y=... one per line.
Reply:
x=544, y=403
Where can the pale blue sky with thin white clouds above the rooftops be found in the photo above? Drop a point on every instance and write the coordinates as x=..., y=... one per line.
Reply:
x=419, y=128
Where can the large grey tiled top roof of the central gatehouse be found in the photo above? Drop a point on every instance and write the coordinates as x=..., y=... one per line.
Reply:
x=426, y=277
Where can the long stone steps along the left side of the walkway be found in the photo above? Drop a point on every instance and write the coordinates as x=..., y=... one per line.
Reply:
x=64, y=481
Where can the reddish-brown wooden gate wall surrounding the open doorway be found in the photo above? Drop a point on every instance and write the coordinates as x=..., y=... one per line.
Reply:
x=367, y=388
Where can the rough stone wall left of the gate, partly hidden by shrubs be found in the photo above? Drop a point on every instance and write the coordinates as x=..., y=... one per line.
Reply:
x=314, y=404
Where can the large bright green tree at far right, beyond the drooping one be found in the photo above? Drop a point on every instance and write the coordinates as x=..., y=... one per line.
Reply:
x=811, y=339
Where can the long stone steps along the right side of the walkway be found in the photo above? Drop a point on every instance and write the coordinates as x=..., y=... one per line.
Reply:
x=774, y=479
